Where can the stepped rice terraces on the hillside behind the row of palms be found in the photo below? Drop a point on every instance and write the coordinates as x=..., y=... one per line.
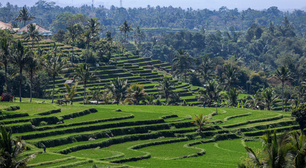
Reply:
x=135, y=69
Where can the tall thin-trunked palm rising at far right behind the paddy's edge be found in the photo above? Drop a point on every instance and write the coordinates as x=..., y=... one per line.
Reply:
x=283, y=74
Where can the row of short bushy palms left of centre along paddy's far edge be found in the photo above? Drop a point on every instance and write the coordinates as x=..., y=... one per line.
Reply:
x=120, y=92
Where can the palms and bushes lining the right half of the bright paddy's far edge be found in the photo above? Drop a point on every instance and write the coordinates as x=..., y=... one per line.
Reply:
x=224, y=91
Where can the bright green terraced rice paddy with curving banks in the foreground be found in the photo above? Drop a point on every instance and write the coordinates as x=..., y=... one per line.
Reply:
x=137, y=136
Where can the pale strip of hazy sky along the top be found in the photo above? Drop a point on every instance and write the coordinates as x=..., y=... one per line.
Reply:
x=195, y=4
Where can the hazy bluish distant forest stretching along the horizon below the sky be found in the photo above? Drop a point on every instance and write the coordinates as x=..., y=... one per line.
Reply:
x=48, y=12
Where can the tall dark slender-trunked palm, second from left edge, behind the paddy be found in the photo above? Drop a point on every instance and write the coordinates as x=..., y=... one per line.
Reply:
x=20, y=57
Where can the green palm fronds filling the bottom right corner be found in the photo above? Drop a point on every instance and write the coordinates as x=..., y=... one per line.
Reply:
x=285, y=150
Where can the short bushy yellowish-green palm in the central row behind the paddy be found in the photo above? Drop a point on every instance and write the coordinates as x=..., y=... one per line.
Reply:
x=136, y=92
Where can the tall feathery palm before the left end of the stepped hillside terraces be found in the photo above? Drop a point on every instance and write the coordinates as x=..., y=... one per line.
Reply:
x=54, y=65
